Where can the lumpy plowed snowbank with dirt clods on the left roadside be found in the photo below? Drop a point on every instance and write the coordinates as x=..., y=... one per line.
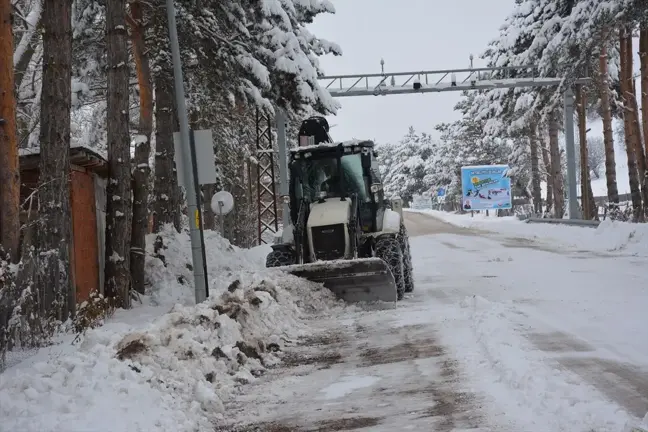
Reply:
x=172, y=373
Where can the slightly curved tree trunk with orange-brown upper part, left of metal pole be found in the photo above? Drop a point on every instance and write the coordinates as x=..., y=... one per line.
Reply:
x=142, y=168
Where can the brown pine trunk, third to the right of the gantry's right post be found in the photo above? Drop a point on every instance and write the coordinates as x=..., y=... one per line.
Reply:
x=631, y=138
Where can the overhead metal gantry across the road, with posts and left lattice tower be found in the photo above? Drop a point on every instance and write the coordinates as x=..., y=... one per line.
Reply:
x=432, y=81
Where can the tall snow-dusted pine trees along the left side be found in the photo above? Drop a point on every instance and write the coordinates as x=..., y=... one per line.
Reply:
x=98, y=73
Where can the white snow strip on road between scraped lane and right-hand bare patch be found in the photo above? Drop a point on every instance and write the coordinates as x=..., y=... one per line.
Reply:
x=540, y=390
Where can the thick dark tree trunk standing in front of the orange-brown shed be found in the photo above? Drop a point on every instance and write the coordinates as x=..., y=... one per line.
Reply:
x=53, y=238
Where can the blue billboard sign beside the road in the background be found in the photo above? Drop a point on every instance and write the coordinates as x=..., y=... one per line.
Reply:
x=486, y=187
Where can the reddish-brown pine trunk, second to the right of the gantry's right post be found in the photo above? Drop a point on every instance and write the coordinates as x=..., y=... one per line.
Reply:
x=608, y=137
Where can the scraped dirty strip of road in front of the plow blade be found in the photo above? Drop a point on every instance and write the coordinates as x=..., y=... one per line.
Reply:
x=414, y=383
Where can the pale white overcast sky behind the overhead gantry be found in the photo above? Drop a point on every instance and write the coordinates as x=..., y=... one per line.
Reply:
x=410, y=35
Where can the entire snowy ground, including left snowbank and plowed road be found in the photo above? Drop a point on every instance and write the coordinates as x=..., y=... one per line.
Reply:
x=512, y=327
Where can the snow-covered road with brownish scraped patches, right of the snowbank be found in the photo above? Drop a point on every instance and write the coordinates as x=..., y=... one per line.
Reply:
x=502, y=333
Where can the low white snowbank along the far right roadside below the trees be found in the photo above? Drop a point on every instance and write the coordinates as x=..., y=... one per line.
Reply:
x=609, y=236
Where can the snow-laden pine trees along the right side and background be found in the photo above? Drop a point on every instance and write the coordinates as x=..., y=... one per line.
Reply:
x=568, y=39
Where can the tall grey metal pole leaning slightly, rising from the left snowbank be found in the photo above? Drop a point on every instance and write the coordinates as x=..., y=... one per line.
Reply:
x=197, y=252
